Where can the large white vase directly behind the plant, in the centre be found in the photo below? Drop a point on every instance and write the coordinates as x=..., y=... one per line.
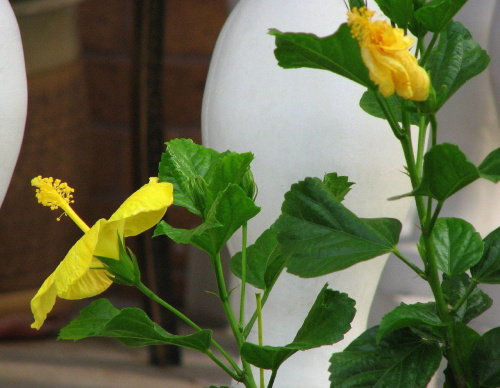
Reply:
x=299, y=123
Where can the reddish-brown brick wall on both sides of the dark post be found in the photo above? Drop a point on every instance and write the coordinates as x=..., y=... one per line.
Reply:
x=106, y=26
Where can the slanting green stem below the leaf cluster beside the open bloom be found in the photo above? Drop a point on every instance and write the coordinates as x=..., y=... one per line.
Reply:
x=248, y=379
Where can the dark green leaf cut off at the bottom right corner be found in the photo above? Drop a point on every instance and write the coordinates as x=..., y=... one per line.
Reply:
x=485, y=359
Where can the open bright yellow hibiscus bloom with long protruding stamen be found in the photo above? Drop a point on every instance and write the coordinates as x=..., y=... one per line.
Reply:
x=80, y=274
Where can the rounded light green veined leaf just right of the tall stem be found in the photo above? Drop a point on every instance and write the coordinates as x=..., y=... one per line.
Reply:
x=457, y=244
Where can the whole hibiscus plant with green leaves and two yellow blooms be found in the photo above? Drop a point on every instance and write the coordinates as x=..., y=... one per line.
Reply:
x=411, y=62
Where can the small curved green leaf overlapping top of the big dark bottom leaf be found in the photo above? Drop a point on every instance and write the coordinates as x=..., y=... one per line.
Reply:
x=418, y=314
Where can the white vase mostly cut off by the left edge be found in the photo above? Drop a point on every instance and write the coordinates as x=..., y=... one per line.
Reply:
x=13, y=94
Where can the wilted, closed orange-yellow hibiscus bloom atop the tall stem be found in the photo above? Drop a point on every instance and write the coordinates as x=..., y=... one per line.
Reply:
x=384, y=50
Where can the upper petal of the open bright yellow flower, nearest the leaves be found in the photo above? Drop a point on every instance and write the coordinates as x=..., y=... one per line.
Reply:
x=145, y=208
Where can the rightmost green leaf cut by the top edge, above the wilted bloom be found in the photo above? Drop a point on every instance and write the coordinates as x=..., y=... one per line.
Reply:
x=436, y=14
